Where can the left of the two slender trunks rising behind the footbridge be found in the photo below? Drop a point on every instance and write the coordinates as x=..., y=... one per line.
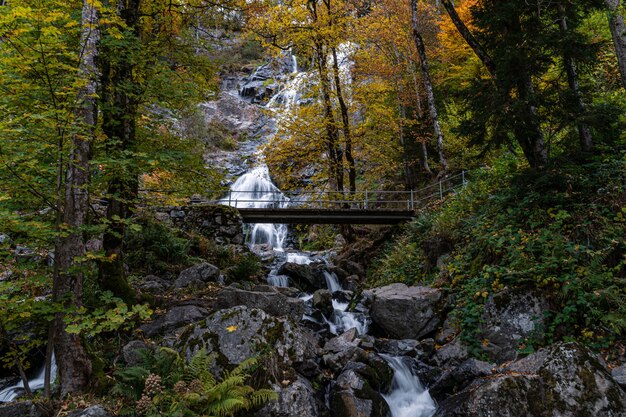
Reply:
x=335, y=155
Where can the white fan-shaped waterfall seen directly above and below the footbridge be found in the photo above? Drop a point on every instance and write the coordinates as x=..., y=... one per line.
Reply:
x=254, y=189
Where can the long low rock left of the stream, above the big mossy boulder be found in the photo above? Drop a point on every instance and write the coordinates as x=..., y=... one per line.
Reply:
x=269, y=300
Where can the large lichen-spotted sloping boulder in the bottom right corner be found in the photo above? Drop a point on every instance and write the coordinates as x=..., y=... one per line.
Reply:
x=562, y=380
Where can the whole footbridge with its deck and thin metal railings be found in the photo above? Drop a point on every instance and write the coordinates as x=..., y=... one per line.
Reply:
x=313, y=207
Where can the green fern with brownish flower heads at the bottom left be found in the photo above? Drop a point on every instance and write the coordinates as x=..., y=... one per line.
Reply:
x=163, y=382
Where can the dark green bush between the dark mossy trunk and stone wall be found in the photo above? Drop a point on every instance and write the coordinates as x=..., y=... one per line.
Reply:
x=155, y=248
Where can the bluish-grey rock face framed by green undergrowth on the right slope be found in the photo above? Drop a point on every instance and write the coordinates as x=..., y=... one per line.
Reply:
x=507, y=320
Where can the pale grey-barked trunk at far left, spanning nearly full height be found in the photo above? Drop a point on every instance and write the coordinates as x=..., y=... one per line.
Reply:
x=74, y=364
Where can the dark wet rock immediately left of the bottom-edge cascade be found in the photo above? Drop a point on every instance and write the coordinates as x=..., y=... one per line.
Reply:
x=352, y=395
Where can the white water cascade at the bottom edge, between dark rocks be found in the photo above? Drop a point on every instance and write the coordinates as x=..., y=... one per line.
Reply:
x=408, y=397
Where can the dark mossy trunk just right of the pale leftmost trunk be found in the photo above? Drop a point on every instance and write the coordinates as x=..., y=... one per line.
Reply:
x=119, y=115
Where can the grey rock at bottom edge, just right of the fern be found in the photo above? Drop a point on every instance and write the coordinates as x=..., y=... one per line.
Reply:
x=298, y=398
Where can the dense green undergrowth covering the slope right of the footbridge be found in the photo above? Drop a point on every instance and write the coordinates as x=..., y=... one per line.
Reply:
x=559, y=232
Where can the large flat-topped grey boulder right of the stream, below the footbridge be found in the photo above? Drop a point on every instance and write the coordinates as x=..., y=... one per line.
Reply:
x=402, y=312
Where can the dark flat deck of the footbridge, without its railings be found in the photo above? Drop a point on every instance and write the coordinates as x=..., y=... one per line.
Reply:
x=324, y=216
